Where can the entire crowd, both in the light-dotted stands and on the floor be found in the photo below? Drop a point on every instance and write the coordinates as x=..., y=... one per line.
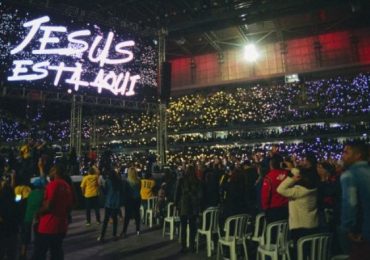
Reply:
x=314, y=170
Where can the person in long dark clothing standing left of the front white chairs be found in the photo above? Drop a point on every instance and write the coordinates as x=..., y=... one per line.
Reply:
x=188, y=200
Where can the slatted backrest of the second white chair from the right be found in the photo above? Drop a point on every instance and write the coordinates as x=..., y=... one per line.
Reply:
x=276, y=234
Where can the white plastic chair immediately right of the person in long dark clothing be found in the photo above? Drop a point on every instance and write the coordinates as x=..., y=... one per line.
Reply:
x=209, y=227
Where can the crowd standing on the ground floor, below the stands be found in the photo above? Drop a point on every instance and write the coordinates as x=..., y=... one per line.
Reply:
x=282, y=184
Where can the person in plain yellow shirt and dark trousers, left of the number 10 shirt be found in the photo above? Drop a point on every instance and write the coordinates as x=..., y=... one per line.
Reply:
x=90, y=191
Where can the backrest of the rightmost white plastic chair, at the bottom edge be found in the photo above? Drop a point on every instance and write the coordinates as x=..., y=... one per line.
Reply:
x=314, y=247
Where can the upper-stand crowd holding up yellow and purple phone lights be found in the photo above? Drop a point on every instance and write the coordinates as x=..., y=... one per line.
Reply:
x=255, y=106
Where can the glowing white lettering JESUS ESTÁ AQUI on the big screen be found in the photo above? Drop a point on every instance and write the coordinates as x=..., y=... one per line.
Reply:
x=77, y=43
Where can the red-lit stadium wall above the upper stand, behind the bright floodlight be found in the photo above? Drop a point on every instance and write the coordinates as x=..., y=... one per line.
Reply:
x=315, y=53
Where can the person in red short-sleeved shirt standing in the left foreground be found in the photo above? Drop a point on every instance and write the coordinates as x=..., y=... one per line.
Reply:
x=53, y=217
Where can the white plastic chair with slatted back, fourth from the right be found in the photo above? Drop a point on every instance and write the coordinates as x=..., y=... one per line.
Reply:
x=235, y=234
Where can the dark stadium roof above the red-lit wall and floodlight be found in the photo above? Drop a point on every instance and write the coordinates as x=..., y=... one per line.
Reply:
x=204, y=26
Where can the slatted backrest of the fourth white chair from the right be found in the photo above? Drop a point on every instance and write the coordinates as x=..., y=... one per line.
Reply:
x=236, y=226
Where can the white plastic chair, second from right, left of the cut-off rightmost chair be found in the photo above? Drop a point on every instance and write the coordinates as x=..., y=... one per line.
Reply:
x=275, y=246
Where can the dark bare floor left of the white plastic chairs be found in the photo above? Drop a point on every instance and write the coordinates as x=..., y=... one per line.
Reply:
x=80, y=243
